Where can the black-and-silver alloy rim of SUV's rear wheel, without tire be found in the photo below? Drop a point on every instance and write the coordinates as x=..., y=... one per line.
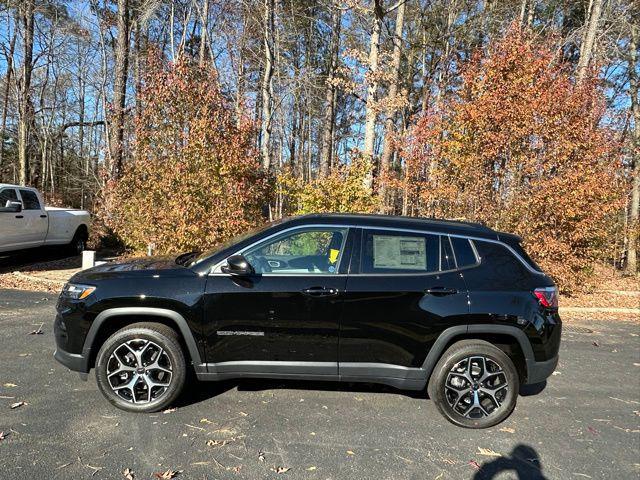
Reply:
x=476, y=387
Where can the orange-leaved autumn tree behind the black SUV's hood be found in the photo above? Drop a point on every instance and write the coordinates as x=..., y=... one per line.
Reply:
x=195, y=177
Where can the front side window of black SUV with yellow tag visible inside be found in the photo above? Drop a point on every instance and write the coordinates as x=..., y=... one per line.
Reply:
x=313, y=251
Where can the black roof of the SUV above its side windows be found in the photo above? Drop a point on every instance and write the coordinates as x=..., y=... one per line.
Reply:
x=392, y=221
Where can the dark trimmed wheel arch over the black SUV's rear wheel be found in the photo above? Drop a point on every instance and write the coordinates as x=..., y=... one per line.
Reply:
x=512, y=340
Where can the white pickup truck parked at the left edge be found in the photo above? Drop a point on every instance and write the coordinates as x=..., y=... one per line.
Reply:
x=26, y=223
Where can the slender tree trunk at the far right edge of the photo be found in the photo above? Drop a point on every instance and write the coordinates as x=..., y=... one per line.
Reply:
x=634, y=217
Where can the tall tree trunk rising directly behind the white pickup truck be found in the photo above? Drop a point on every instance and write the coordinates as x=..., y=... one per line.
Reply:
x=25, y=109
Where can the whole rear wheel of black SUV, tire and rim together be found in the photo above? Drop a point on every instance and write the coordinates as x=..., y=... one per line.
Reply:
x=489, y=411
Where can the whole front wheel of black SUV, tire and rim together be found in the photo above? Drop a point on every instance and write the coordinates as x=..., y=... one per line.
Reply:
x=141, y=368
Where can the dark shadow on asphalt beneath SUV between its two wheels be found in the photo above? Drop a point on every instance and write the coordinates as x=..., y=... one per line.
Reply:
x=197, y=391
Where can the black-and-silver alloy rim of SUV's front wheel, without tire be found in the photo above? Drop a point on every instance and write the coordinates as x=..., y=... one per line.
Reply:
x=139, y=371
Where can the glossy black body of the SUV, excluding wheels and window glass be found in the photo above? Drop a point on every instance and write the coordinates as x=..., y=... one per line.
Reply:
x=367, y=326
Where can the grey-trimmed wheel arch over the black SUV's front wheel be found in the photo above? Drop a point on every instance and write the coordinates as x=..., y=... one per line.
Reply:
x=111, y=320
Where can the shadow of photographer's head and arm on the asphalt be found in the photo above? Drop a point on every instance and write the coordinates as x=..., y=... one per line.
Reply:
x=523, y=461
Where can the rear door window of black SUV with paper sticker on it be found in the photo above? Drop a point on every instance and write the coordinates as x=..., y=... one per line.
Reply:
x=399, y=252
